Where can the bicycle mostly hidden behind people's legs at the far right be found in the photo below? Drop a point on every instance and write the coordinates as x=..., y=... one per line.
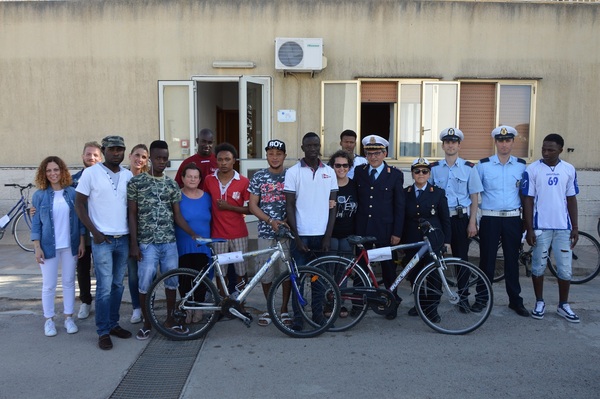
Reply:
x=585, y=262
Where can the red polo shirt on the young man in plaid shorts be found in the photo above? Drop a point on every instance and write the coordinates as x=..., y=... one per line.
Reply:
x=228, y=224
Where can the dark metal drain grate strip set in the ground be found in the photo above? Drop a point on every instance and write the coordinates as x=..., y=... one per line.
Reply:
x=161, y=370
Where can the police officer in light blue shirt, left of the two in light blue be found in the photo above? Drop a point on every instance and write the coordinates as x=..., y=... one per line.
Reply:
x=462, y=184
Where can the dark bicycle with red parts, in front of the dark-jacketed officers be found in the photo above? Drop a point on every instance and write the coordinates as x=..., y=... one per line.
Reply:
x=436, y=289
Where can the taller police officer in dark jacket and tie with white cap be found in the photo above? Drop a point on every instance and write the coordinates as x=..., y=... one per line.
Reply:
x=380, y=202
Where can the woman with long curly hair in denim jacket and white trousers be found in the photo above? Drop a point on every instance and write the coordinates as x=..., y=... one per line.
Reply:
x=57, y=237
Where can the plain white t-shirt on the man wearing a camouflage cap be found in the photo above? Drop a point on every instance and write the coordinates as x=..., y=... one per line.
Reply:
x=107, y=201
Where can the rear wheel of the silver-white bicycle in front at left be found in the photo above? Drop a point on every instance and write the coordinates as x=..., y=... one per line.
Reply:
x=174, y=294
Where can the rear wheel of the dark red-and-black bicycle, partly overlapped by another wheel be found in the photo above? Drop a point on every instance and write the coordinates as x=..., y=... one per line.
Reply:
x=354, y=304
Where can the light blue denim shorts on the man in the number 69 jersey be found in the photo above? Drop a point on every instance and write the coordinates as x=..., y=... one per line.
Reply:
x=560, y=240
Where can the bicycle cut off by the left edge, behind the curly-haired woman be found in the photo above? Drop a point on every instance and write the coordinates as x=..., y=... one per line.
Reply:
x=20, y=217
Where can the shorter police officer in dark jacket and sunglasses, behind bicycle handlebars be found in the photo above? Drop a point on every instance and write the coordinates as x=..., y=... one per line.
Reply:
x=424, y=201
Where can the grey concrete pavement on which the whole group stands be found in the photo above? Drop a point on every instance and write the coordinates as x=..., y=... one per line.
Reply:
x=510, y=356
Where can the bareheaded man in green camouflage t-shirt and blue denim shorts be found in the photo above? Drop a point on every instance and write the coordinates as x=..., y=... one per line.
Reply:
x=153, y=206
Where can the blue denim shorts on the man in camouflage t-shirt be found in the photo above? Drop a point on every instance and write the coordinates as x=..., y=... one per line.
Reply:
x=154, y=255
